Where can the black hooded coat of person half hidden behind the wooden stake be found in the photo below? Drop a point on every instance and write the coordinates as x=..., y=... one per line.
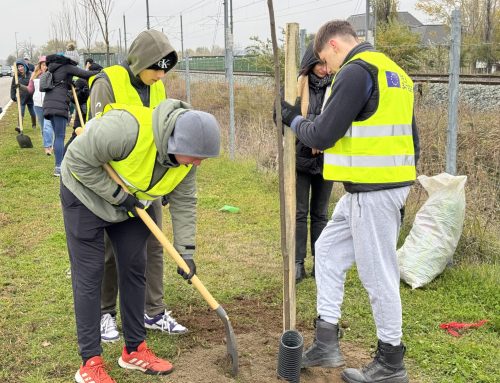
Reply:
x=305, y=161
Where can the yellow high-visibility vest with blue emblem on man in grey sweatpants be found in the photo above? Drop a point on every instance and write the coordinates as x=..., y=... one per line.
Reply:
x=379, y=149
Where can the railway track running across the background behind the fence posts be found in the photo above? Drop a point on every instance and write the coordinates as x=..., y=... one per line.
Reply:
x=473, y=79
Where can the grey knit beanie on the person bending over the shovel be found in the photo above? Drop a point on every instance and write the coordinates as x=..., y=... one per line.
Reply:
x=195, y=134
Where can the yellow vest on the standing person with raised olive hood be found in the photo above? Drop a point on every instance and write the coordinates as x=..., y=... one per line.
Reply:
x=125, y=93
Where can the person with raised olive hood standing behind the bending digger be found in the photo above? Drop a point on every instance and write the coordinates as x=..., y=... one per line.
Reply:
x=137, y=82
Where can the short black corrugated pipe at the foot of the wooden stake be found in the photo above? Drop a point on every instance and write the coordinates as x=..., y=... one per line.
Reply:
x=290, y=356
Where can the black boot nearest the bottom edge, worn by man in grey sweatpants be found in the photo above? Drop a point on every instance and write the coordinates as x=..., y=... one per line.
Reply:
x=387, y=367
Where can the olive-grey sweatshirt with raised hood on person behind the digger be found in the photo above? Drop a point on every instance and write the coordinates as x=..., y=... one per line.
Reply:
x=148, y=48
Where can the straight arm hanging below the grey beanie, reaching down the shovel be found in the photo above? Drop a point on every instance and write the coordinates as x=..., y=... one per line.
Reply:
x=182, y=206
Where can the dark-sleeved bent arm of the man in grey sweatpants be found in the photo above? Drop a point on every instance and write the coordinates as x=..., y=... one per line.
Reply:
x=350, y=92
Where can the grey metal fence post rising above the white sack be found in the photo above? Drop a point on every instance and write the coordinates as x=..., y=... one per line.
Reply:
x=453, y=93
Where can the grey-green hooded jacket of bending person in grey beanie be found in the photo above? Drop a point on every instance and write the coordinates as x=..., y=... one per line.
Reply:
x=113, y=137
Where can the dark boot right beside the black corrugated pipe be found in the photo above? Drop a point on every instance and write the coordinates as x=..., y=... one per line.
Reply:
x=325, y=351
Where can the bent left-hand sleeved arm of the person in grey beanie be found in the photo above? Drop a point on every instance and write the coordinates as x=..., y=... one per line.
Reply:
x=111, y=137
